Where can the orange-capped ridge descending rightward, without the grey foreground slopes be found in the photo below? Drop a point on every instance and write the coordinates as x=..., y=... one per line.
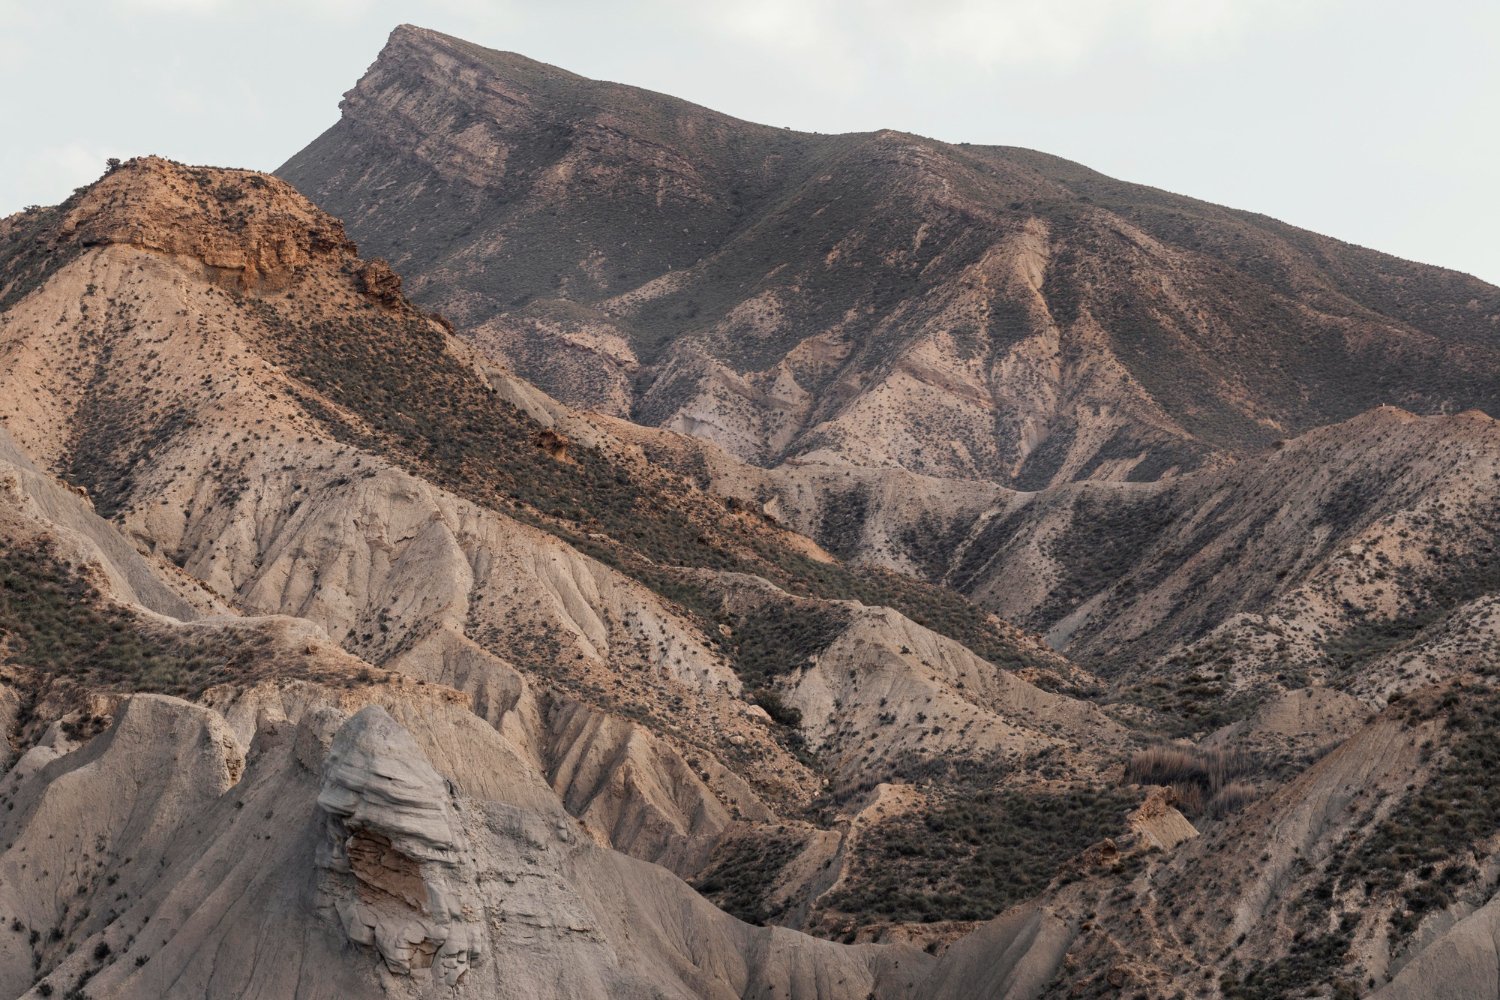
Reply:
x=266, y=418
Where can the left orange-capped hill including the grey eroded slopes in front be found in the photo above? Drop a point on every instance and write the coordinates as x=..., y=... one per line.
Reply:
x=271, y=521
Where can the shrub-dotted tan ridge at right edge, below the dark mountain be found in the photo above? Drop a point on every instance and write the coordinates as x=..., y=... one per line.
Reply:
x=1351, y=536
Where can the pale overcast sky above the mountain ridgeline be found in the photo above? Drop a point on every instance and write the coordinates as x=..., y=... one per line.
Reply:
x=1376, y=122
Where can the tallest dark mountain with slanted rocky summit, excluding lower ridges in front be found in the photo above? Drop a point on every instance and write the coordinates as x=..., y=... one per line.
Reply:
x=875, y=301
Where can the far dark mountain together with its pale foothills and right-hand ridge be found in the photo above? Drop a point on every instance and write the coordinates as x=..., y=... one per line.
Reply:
x=1076, y=401
